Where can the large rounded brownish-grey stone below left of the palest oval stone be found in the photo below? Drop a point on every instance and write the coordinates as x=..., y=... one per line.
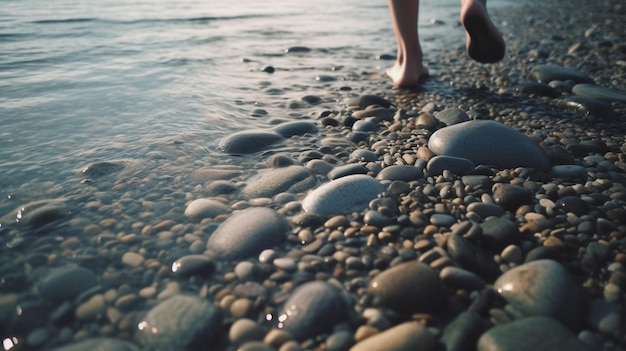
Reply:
x=247, y=233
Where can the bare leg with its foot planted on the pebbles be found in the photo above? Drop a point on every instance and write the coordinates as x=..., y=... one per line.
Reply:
x=409, y=68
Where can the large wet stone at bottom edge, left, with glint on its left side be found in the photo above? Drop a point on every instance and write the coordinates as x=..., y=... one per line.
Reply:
x=180, y=323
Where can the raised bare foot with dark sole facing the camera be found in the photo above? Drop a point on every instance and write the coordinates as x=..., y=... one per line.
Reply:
x=483, y=40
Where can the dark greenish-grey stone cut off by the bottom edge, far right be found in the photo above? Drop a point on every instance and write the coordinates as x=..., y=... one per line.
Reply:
x=532, y=333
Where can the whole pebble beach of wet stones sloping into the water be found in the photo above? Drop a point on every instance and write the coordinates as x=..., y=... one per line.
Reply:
x=485, y=210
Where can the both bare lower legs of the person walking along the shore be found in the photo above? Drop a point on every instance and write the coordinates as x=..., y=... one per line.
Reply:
x=483, y=41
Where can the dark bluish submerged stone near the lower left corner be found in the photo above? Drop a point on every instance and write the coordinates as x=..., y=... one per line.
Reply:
x=66, y=283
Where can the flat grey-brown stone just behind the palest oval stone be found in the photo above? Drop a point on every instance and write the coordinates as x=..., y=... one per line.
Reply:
x=293, y=179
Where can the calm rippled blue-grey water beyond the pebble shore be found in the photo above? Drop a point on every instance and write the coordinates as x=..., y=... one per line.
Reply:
x=88, y=81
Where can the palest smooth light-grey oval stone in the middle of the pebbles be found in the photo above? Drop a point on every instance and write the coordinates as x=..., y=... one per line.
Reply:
x=343, y=195
